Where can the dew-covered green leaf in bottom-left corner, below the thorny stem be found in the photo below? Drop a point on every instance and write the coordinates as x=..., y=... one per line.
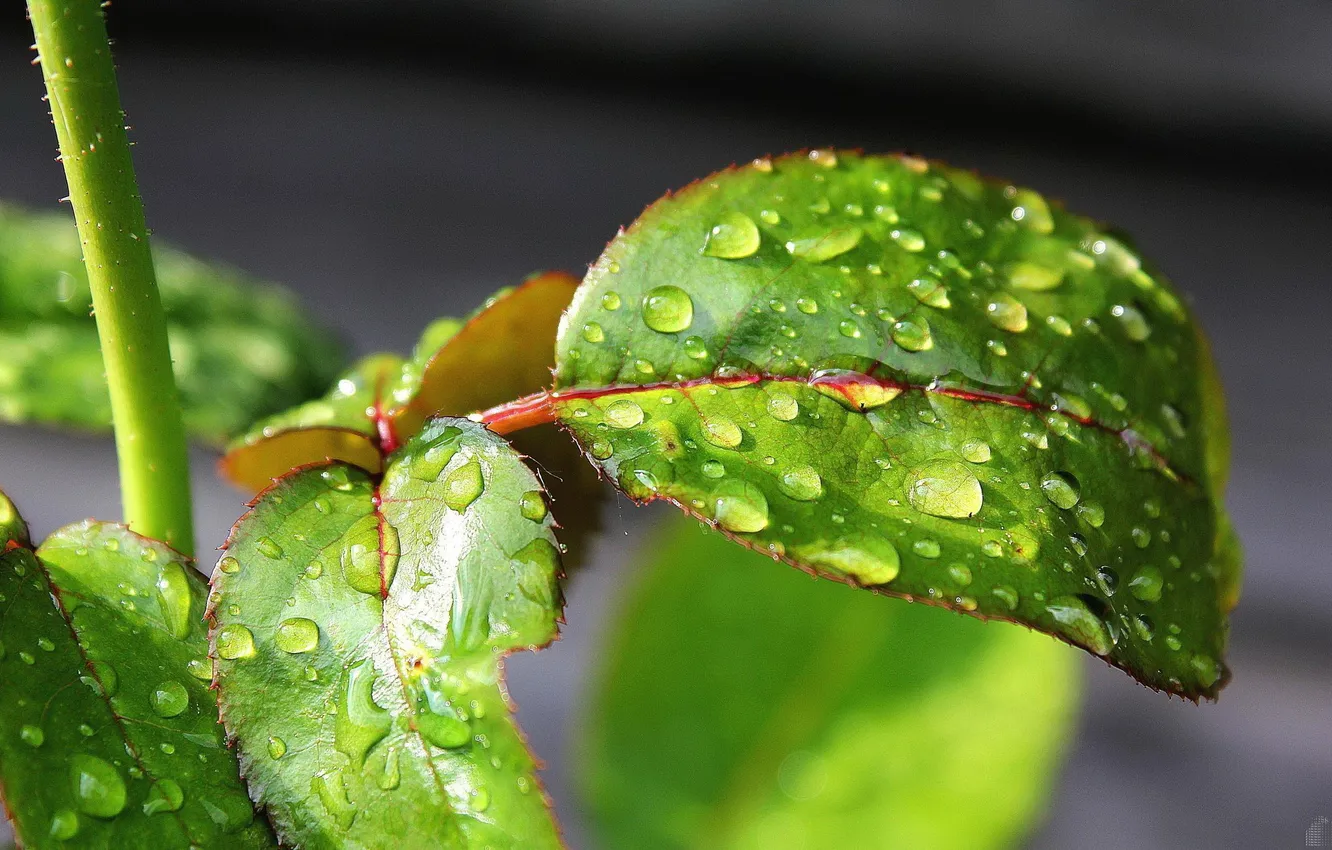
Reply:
x=109, y=732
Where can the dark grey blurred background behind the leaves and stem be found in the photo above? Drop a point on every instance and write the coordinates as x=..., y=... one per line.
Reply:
x=399, y=161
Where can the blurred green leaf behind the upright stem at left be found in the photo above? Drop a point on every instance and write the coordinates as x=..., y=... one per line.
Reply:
x=240, y=350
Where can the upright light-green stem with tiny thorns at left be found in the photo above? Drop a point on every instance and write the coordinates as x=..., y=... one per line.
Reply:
x=95, y=151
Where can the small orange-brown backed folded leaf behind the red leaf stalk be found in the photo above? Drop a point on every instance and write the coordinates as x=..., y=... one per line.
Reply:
x=503, y=352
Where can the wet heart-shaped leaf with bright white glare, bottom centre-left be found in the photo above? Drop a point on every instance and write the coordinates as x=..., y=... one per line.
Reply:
x=359, y=631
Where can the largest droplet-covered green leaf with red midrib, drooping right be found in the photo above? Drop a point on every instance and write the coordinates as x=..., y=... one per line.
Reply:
x=901, y=376
